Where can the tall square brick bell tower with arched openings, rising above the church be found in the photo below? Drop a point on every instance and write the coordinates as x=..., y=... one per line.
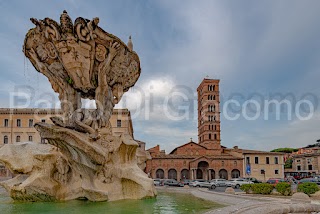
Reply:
x=209, y=113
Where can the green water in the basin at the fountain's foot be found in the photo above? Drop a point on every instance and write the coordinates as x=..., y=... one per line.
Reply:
x=165, y=203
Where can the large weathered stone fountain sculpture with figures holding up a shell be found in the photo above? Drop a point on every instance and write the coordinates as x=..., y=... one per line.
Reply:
x=82, y=158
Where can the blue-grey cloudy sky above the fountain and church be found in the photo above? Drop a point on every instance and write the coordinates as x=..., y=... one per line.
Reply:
x=262, y=51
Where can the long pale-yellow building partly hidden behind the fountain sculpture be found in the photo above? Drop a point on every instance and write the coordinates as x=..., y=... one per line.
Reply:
x=17, y=125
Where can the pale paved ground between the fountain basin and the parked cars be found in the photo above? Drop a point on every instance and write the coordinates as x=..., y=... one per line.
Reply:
x=244, y=204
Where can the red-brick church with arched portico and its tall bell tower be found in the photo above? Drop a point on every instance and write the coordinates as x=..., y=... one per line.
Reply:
x=206, y=159
